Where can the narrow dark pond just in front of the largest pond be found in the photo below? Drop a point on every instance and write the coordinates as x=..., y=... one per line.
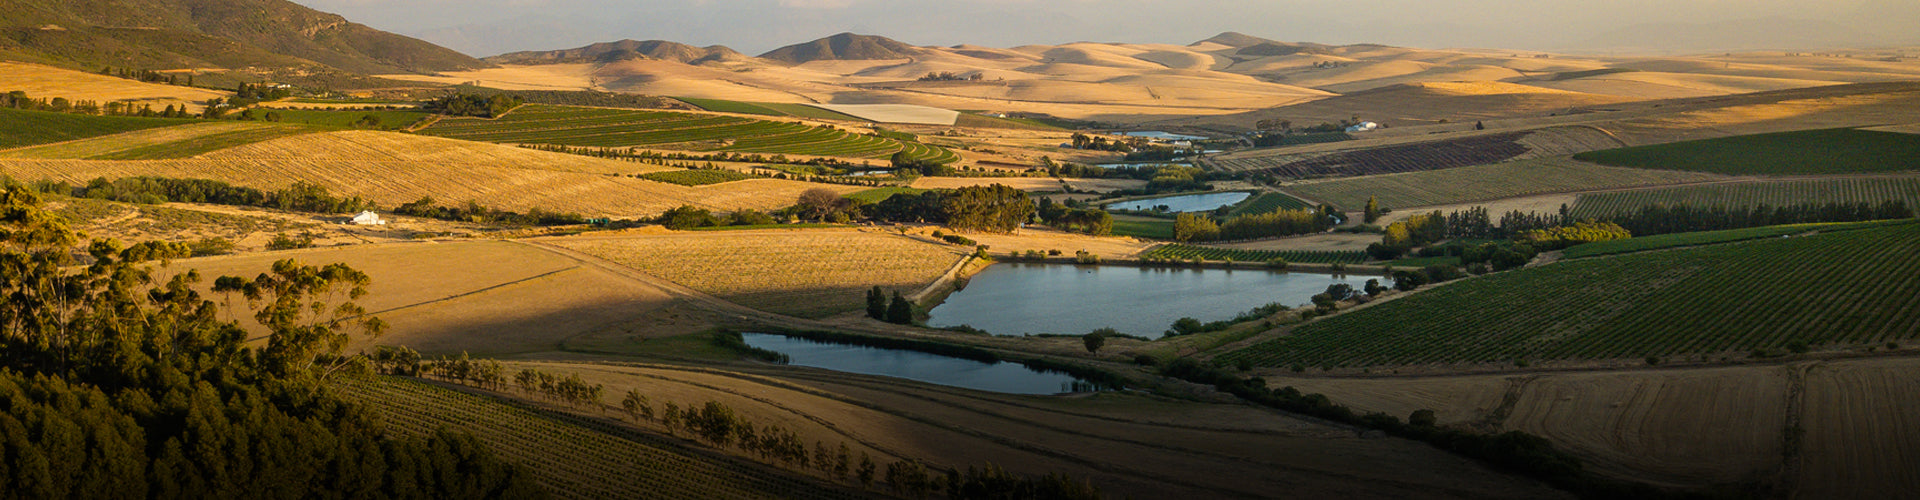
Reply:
x=919, y=366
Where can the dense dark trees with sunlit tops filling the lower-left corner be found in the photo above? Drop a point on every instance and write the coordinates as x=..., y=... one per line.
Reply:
x=126, y=386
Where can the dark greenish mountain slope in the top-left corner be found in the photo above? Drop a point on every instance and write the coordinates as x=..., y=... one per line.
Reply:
x=210, y=34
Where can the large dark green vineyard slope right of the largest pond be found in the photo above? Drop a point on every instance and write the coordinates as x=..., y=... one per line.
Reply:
x=1835, y=289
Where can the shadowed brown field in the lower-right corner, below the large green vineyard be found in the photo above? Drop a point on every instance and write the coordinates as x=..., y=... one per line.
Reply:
x=1860, y=426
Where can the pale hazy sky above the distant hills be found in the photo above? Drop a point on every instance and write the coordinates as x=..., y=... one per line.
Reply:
x=487, y=28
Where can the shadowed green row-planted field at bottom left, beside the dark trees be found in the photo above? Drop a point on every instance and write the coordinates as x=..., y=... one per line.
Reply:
x=575, y=457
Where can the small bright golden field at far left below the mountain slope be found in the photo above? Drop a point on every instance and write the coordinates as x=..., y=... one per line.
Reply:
x=47, y=82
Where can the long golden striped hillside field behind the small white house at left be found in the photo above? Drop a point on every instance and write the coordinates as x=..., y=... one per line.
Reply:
x=393, y=170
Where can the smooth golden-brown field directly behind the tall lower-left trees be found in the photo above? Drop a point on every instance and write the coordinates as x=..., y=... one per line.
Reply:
x=468, y=297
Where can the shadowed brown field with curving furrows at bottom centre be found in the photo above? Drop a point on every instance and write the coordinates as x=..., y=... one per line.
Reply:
x=1128, y=445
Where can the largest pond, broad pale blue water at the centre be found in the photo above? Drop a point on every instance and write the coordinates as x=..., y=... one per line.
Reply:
x=1017, y=299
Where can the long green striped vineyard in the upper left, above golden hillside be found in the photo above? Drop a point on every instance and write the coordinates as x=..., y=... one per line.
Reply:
x=596, y=128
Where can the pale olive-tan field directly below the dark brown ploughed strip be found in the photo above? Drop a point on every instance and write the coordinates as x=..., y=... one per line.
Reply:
x=1481, y=184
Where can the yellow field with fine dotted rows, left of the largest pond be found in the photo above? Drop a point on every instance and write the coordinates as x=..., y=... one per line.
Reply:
x=805, y=272
